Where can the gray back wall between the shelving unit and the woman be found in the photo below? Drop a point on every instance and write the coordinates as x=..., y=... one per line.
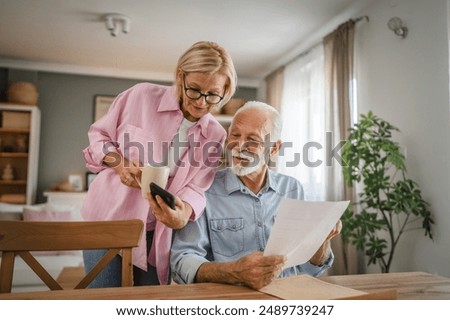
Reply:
x=66, y=104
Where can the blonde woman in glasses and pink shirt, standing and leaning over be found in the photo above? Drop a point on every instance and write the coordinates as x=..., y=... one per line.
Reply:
x=151, y=123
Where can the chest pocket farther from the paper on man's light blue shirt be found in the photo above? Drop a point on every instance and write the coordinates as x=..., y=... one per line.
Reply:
x=227, y=236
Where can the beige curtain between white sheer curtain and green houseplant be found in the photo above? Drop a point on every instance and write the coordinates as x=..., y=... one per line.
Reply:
x=338, y=50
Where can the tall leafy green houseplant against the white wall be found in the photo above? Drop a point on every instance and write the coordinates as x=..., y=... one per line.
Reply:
x=390, y=203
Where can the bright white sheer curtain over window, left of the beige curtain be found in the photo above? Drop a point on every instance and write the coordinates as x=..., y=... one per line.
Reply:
x=304, y=119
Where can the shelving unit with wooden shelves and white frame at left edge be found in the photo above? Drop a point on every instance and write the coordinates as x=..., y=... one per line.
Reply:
x=19, y=148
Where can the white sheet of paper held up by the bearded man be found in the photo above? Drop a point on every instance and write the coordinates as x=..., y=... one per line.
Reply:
x=301, y=227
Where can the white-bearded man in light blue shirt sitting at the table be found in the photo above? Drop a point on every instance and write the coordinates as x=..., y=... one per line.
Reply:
x=225, y=244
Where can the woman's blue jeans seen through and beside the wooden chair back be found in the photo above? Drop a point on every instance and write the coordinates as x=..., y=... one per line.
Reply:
x=111, y=276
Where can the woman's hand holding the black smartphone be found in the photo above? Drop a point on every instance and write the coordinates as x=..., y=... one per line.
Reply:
x=175, y=219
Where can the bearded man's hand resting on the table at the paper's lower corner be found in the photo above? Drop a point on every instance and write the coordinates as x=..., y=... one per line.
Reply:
x=257, y=271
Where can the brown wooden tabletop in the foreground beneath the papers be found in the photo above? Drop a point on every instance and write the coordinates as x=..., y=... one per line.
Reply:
x=409, y=285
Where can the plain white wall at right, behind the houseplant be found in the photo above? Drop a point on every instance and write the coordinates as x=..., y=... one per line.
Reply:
x=406, y=82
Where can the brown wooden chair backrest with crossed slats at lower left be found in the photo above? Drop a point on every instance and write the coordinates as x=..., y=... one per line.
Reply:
x=21, y=237
